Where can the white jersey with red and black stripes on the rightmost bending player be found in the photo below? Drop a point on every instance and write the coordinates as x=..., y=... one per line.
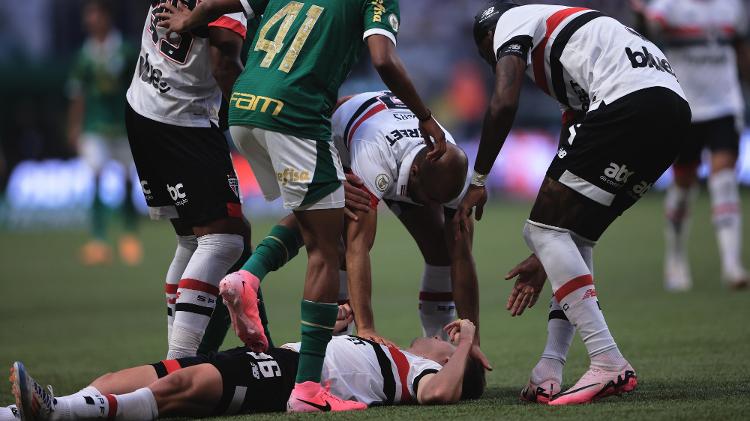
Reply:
x=581, y=57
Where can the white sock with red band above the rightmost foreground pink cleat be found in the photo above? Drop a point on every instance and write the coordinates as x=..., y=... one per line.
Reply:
x=574, y=289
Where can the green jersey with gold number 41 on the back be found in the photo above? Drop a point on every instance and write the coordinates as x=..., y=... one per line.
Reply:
x=302, y=53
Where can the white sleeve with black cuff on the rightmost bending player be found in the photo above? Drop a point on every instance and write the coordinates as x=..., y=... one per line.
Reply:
x=515, y=35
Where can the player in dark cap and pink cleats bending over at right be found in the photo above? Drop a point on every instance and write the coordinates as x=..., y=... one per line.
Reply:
x=631, y=119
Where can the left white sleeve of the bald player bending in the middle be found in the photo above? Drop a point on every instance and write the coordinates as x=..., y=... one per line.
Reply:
x=369, y=163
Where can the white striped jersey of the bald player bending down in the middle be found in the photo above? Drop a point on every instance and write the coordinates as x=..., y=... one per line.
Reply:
x=378, y=138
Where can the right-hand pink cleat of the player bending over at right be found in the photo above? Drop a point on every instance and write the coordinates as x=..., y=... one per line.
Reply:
x=596, y=384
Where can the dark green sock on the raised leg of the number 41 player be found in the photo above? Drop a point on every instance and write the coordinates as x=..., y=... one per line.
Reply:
x=279, y=247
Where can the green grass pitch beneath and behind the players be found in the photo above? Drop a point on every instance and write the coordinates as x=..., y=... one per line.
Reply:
x=69, y=324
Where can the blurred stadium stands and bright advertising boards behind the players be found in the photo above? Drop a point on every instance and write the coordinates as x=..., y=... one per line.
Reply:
x=43, y=185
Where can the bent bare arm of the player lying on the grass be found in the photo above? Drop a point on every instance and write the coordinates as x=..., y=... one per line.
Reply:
x=446, y=386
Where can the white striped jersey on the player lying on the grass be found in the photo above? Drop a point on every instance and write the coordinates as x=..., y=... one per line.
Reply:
x=372, y=373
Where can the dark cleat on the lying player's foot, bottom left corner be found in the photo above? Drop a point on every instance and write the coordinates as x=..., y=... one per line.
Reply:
x=33, y=402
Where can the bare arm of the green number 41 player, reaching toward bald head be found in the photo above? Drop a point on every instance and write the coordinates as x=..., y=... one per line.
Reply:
x=392, y=72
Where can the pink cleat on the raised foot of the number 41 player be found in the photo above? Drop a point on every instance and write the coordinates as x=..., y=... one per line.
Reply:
x=240, y=293
